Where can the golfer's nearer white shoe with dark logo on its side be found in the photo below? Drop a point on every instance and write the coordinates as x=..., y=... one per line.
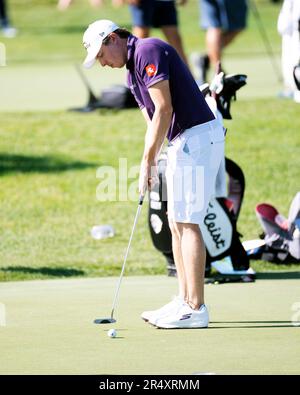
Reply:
x=185, y=317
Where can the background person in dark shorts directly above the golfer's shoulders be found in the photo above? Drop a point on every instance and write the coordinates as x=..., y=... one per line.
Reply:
x=159, y=14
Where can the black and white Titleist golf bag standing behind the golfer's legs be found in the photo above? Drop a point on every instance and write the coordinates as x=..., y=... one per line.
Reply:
x=219, y=226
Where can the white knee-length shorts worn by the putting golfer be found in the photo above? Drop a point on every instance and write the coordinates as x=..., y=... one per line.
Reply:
x=193, y=162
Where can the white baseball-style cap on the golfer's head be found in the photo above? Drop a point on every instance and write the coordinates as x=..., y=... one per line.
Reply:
x=93, y=38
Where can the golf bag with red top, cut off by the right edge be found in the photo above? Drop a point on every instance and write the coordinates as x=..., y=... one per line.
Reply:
x=281, y=235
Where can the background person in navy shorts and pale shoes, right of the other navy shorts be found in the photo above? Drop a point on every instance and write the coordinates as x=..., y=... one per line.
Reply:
x=223, y=20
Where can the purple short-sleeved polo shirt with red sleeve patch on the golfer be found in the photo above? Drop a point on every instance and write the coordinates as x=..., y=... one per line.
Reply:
x=151, y=60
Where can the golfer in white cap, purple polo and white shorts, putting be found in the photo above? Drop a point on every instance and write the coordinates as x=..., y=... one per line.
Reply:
x=173, y=107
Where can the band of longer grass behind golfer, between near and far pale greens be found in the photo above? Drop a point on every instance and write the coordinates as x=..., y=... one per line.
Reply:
x=48, y=167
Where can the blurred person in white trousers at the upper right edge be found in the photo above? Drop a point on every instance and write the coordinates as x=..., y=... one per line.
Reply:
x=288, y=27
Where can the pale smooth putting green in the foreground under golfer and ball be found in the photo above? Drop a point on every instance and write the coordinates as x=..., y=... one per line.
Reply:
x=48, y=328
